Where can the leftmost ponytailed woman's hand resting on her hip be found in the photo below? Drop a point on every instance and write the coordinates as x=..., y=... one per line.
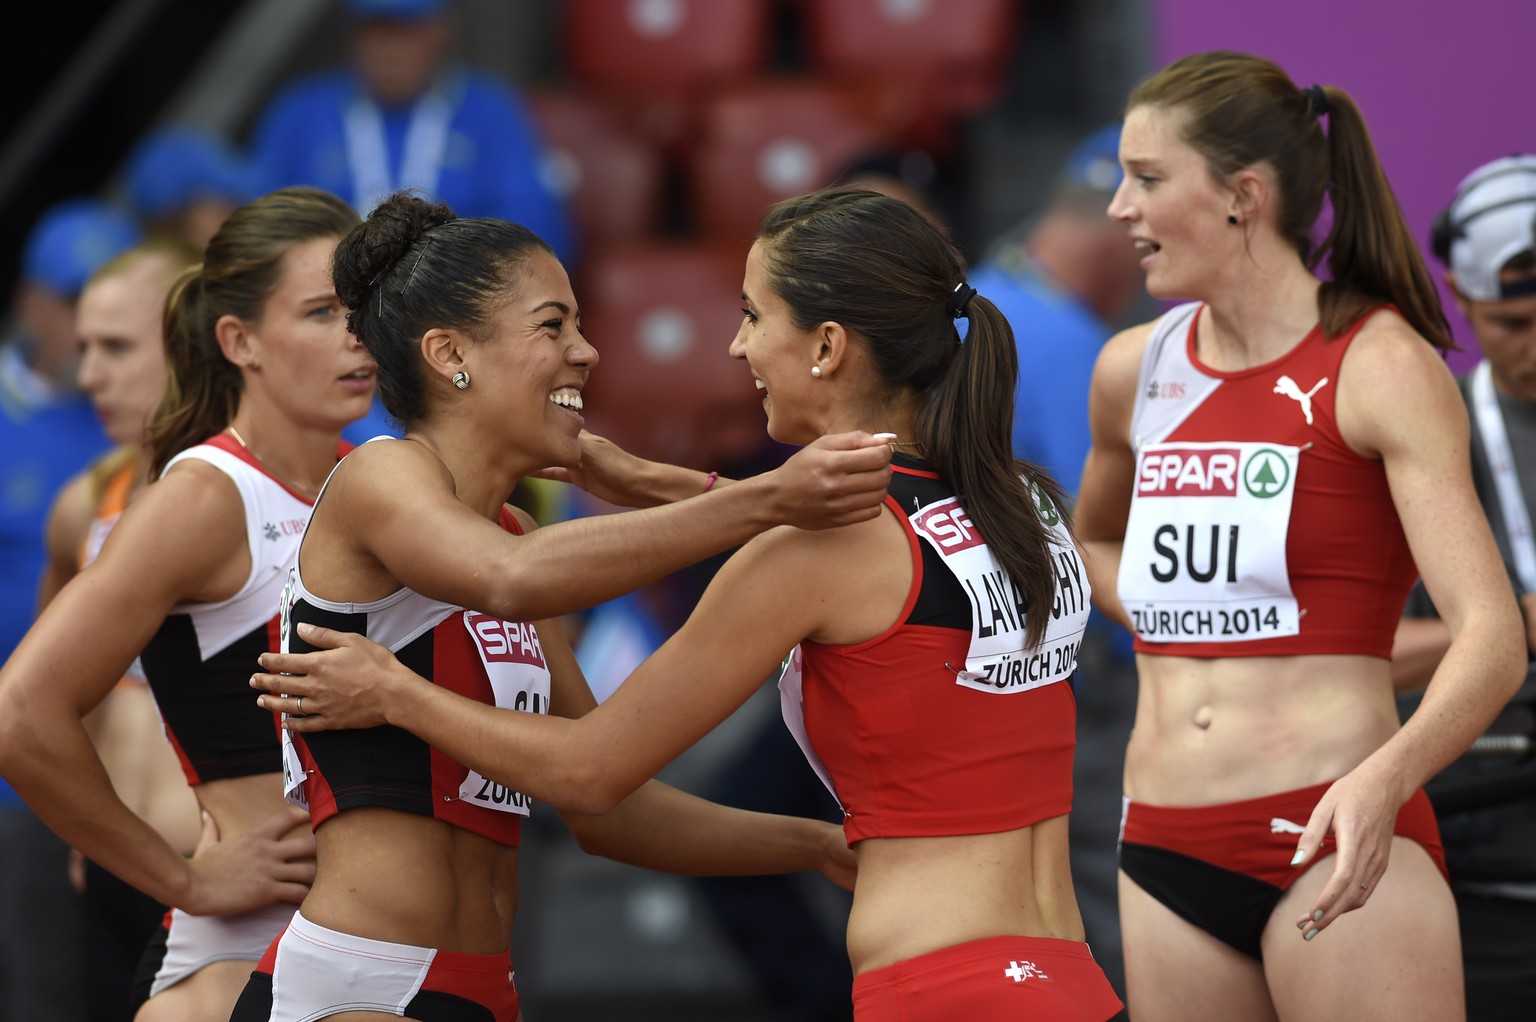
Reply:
x=265, y=866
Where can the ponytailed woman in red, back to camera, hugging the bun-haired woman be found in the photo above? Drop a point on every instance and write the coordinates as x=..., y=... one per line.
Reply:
x=930, y=649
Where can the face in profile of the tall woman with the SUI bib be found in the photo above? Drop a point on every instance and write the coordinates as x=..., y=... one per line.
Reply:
x=1174, y=210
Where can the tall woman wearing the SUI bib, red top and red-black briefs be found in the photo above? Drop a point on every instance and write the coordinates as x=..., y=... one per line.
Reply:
x=1268, y=466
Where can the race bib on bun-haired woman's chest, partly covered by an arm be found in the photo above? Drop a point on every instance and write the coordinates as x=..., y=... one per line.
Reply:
x=520, y=680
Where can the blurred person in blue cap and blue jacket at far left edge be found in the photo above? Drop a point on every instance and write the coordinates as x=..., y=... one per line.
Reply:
x=48, y=433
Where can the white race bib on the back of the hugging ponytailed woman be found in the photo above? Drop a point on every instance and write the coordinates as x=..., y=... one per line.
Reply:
x=999, y=660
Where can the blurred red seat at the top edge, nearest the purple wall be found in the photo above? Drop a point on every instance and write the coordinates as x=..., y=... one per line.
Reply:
x=950, y=55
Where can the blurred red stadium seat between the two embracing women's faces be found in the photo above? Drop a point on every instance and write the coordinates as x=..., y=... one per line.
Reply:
x=663, y=317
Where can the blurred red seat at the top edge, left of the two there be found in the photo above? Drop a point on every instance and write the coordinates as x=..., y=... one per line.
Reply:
x=660, y=56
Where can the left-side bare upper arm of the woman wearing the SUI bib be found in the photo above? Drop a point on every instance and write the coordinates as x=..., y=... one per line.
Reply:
x=1105, y=497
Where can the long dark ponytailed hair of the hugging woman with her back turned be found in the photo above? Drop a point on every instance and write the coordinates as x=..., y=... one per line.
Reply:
x=887, y=274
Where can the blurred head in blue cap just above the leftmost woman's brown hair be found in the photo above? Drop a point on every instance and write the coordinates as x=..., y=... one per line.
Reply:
x=184, y=184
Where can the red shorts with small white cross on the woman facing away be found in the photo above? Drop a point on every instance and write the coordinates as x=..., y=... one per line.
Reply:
x=996, y=980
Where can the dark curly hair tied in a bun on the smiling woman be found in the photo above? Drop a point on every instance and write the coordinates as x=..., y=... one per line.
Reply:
x=414, y=267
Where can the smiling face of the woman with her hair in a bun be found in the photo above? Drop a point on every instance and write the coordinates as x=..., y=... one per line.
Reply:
x=531, y=370
